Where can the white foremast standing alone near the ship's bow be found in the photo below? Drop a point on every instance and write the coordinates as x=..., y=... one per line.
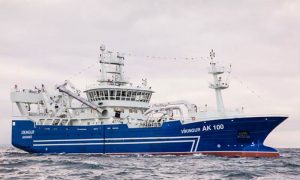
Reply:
x=218, y=84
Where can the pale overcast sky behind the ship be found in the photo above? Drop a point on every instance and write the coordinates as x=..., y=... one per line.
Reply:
x=50, y=41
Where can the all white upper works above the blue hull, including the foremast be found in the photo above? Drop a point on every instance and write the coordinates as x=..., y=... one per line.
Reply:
x=113, y=100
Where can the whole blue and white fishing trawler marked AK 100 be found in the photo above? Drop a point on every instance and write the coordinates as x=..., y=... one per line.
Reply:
x=116, y=118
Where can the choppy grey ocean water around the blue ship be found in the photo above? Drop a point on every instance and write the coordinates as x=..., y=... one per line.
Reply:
x=15, y=164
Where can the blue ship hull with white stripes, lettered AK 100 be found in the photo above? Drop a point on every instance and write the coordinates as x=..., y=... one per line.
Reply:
x=225, y=137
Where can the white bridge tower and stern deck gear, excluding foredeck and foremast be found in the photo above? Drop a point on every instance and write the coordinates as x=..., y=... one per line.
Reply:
x=112, y=100
